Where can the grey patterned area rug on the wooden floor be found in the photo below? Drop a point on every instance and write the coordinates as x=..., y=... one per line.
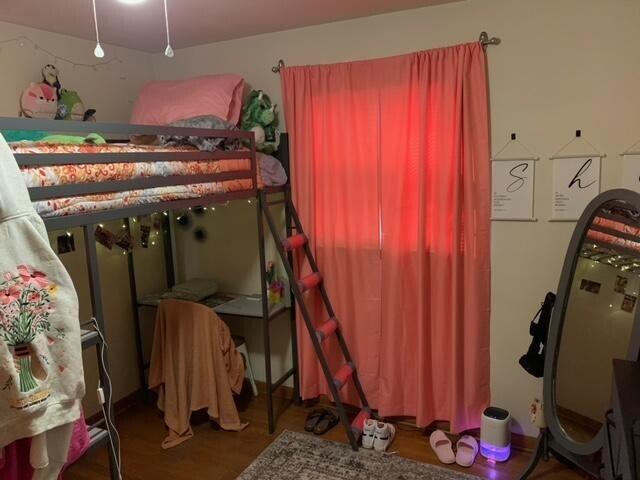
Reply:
x=296, y=456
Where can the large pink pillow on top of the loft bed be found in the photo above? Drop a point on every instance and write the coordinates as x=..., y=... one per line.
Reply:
x=161, y=103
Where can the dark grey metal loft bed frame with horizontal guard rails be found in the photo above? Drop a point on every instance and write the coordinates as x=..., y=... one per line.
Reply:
x=89, y=220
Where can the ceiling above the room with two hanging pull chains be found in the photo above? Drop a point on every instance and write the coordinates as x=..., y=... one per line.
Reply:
x=193, y=22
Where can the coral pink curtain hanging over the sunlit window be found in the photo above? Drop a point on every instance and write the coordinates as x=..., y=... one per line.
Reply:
x=390, y=172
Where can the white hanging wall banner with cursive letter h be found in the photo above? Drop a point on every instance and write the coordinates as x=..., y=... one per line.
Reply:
x=576, y=181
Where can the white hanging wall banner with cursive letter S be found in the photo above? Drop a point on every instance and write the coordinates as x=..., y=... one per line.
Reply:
x=512, y=184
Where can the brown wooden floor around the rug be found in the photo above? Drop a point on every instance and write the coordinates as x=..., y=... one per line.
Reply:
x=217, y=455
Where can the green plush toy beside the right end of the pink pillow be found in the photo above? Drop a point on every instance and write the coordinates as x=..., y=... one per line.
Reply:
x=259, y=115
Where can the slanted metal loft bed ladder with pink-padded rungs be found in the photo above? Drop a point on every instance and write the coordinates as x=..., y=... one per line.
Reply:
x=330, y=327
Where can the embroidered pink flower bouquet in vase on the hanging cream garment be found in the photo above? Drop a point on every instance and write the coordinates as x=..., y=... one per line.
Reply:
x=26, y=302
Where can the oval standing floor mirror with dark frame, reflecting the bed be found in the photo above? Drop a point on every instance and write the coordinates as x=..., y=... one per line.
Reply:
x=594, y=335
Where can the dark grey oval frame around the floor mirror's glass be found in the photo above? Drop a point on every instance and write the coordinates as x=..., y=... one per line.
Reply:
x=557, y=323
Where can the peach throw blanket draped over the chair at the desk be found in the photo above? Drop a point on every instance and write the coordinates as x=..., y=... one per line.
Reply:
x=194, y=365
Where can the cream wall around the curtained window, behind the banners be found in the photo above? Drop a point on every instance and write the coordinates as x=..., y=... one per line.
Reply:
x=561, y=66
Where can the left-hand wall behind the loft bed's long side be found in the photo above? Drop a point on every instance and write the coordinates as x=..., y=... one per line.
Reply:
x=111, y=90
